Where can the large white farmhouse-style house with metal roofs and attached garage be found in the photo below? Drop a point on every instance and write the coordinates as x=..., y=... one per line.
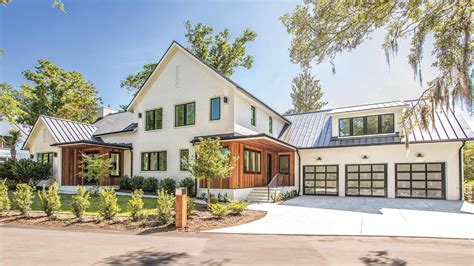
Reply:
x=352, y=151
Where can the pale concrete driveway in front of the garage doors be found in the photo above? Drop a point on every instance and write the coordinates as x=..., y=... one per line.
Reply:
x=312, y=215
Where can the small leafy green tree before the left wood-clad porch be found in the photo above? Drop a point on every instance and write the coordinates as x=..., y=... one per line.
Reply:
x=95, y=168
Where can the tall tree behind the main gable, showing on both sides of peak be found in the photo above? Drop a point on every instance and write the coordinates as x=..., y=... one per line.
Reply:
x=217, y=50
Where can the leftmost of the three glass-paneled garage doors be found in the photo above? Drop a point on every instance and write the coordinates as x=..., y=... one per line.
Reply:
x=320, y=179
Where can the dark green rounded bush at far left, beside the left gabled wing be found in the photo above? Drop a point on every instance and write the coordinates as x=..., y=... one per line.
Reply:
x=29, y=171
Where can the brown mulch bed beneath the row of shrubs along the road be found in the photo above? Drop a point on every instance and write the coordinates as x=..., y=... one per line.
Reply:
x=201, y=220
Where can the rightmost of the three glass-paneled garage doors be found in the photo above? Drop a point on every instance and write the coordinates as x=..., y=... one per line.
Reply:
x=420, y=180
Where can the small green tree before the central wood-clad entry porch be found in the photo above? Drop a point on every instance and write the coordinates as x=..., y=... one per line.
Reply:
x=210, y=163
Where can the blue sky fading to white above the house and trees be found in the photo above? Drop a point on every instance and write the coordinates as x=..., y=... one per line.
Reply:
x=106, y=40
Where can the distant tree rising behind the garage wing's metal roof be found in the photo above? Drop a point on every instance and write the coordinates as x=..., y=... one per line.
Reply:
x=306, y=93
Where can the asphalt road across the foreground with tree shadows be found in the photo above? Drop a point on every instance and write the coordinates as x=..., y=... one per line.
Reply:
x=27, y=246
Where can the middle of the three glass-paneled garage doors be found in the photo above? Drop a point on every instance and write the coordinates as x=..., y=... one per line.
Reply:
x=366, y=180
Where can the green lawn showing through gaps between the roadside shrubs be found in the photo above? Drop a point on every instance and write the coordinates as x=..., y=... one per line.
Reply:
x=149, y=204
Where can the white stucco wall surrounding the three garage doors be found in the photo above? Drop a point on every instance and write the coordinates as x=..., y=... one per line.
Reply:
x=447, y=152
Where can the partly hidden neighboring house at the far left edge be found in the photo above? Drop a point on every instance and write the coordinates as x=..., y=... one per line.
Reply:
x=5, y=128
